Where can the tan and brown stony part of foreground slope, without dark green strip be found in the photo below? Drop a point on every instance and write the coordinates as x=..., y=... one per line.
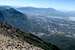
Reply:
x=10, y=41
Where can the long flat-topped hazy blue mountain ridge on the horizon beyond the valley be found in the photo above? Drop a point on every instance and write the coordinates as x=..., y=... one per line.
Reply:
x=41, y=11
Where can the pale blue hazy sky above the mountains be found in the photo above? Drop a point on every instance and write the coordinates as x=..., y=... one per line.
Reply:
x=57, y=4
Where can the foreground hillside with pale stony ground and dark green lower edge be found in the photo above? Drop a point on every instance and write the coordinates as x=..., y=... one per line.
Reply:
x=12, y=38
